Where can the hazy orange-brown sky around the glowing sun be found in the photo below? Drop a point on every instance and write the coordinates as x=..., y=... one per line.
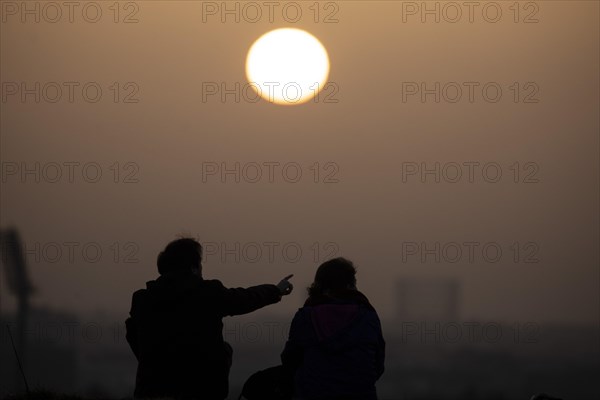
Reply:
x=370, y=202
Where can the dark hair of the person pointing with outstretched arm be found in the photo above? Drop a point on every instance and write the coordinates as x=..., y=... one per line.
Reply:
x=181, y=254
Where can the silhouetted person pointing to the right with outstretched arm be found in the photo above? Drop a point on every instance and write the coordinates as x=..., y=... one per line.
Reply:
x=175, y=326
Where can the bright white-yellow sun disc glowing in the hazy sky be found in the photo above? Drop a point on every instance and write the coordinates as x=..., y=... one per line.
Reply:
x=287, y=66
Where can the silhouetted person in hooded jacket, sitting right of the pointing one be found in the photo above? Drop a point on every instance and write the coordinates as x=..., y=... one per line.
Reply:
x=335, y=348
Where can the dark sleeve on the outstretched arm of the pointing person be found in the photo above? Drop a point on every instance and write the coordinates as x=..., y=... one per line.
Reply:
x=238, y=301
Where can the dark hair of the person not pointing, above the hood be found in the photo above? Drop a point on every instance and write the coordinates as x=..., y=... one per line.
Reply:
x=337, y=274
